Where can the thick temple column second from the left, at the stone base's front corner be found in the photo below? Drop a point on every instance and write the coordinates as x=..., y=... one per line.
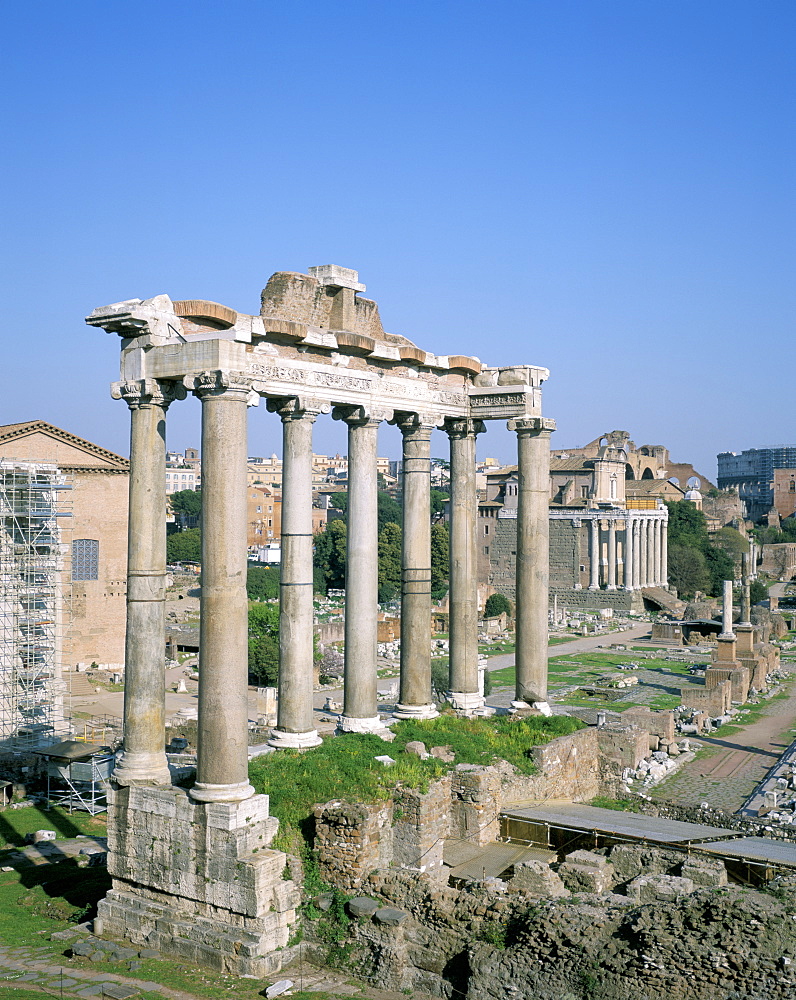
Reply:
x=222, y=766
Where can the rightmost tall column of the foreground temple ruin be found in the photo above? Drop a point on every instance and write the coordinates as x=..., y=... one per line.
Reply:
x=533, y=558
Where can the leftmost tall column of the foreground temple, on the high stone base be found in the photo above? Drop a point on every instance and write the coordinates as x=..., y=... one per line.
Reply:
x=143, y=761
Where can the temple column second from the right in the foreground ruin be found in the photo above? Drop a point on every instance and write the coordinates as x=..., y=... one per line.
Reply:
x=464, y=693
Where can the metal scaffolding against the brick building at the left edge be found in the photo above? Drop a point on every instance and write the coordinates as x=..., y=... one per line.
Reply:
x=33, y=602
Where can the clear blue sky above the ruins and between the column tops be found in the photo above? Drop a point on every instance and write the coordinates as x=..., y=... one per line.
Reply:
x=602, y=188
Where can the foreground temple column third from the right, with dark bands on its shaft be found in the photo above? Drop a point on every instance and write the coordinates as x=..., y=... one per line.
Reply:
x=415, y=697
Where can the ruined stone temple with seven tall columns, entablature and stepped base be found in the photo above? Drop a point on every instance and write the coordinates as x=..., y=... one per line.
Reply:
x=193, y=872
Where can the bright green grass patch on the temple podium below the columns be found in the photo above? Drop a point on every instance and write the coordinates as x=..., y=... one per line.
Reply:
x=344, y=767
